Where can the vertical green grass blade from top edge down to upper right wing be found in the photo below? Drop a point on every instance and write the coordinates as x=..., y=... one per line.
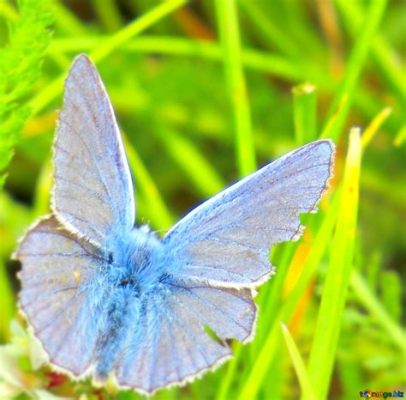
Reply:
x=236, y=86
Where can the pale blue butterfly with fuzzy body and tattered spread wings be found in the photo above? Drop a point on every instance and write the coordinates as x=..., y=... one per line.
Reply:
x=108, y=298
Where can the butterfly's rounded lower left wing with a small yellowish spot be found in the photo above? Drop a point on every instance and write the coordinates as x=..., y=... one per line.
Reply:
x=59, y=295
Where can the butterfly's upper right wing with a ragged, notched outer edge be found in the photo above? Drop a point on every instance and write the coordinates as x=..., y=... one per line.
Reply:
x=226, y=240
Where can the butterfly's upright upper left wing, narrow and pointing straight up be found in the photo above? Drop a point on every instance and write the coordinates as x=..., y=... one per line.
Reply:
x=92, y=178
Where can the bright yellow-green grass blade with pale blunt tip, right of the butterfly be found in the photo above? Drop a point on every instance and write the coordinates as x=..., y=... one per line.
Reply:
x=338, y=276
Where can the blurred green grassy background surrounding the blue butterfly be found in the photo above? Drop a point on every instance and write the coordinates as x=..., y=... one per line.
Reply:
x=204, y=92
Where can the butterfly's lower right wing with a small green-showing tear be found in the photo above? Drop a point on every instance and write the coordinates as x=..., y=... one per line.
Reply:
x=170, y=345
